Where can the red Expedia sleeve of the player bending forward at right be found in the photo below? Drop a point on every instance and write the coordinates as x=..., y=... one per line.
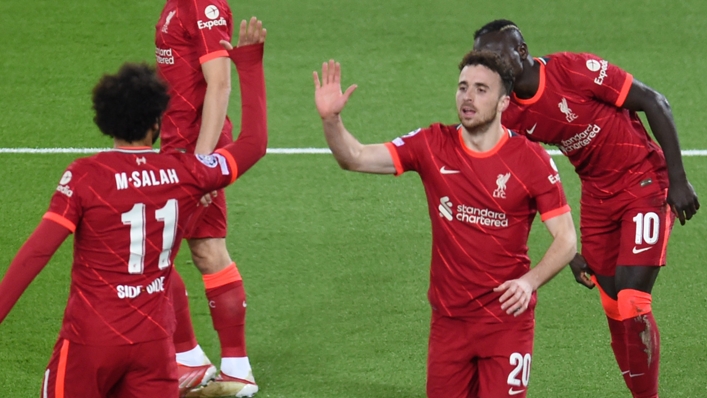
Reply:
x=606, y=82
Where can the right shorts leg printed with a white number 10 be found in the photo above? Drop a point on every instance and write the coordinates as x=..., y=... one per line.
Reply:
x=645, y=230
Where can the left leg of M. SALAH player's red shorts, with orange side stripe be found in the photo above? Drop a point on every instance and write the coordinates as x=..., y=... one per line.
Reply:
x=78, y=371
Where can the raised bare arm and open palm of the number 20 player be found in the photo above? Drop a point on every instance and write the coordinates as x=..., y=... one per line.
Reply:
x=348, y=151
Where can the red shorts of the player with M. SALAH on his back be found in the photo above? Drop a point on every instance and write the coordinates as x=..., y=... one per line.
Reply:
x=139, y=370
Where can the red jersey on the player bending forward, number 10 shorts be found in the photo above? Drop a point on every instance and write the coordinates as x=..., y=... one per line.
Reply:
x=578, y=108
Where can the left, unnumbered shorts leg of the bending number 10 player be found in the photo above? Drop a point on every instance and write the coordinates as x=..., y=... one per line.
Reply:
x=600, y=236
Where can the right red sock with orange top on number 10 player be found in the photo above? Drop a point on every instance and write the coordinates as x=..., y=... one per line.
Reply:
x=643, y=341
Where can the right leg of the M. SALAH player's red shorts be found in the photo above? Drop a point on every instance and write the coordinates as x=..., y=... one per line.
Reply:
x=152, y=372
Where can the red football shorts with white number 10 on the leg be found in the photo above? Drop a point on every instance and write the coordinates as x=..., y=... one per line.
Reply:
x=625, y=230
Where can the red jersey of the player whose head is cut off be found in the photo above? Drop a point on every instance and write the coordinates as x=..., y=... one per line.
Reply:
x=187, y=35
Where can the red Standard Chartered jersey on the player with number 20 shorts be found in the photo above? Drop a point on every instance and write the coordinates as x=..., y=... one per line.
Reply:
x=481, y=206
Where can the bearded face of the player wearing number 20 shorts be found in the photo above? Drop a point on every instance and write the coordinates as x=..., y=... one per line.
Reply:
x=480, y=98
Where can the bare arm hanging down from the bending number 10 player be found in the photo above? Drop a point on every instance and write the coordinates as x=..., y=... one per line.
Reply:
x=681, y=196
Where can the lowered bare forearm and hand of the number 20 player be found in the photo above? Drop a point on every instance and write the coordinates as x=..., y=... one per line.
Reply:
x=517, y=292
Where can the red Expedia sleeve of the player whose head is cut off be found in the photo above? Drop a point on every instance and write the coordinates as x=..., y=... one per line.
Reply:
x=212, y=23
